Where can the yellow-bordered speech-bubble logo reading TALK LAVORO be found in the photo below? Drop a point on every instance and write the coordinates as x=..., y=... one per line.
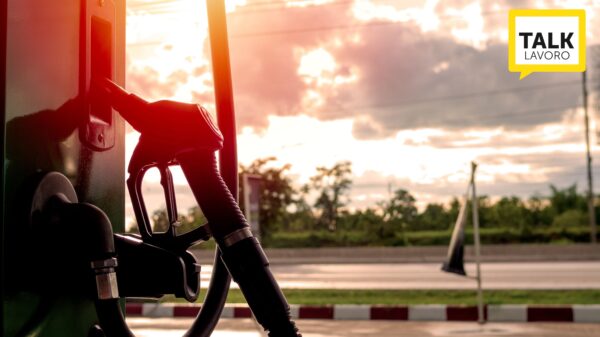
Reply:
x=546, y=40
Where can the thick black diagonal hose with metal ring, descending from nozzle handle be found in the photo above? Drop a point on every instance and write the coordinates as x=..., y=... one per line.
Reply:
x=244, y=259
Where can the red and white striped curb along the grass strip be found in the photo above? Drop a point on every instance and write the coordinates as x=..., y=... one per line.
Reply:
x=493, y=313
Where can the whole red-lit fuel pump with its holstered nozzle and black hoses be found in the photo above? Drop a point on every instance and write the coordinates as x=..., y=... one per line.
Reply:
x=65, y=267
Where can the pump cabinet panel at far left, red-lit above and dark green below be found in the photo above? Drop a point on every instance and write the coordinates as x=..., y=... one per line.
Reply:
x=49, y=53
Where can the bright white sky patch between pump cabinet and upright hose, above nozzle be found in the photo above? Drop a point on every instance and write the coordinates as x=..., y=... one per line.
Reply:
x=167, y=39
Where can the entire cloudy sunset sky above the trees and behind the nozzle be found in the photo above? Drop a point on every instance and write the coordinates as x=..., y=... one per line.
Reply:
x=409, y=91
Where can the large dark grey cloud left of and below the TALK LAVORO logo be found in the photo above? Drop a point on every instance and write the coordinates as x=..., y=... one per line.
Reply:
x=400, y=90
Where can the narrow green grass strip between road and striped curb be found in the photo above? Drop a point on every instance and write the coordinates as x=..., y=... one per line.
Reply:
x=411, y=297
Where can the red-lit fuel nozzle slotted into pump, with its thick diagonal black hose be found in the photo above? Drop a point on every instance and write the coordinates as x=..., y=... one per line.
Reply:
x=184, y=134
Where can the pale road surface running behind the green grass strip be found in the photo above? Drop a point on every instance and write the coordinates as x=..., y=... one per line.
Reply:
x=513, y=275
